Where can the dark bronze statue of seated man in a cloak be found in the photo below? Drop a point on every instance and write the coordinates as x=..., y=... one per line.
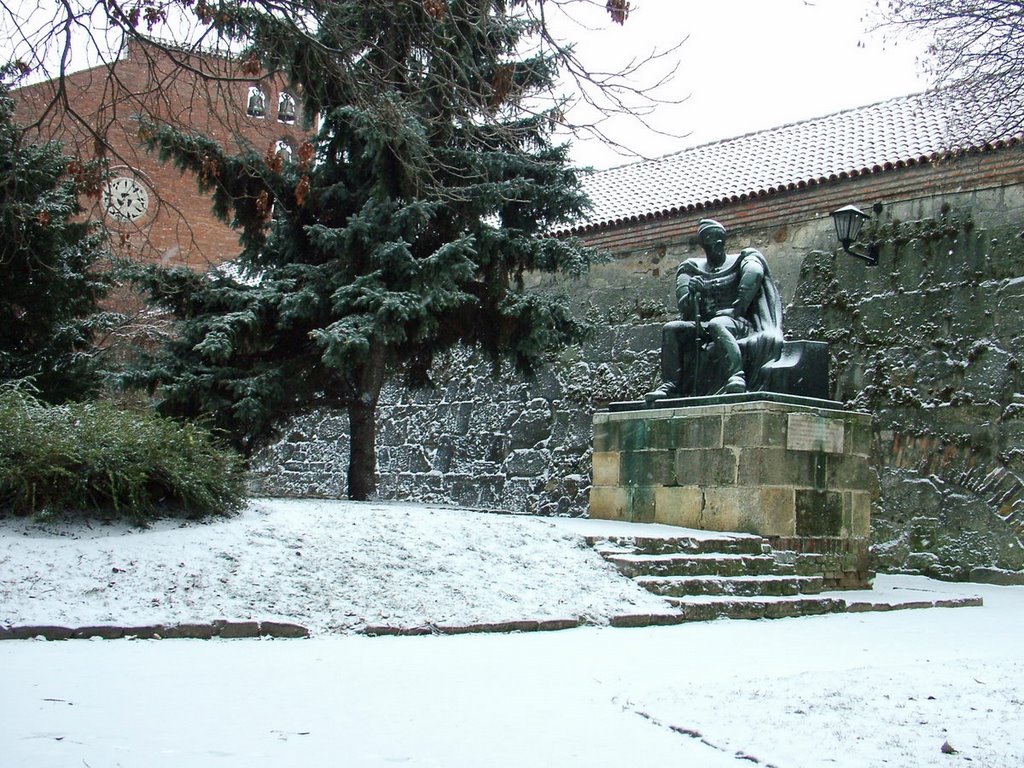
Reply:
x=732, y=322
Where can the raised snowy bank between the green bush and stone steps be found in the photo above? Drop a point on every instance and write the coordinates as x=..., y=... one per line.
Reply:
x=331, y=567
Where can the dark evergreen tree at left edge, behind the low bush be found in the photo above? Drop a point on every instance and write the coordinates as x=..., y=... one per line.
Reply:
x=51, y=281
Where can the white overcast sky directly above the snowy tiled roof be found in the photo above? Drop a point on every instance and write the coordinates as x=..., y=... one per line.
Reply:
x=747, y=65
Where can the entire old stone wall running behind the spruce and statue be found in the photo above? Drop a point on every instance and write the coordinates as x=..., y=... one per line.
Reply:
x=929, y=342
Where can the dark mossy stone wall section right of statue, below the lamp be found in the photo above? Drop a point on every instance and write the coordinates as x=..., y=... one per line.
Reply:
x=930, y=343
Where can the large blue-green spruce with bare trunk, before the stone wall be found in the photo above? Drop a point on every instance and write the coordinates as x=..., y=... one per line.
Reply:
x=406, y=228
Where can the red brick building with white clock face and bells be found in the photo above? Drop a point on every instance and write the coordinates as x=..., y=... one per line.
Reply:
x=156, y=212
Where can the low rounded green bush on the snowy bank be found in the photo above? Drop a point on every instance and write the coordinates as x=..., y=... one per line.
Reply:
x=98, y=459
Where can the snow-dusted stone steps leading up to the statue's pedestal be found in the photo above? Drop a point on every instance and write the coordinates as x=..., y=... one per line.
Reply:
x=721, y=576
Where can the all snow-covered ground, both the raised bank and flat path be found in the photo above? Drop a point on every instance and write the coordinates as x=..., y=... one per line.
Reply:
x=856, y=690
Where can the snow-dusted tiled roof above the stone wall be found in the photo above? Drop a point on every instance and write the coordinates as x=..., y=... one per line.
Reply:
x=869, y=140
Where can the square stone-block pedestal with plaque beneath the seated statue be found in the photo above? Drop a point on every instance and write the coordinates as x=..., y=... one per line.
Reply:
x=798, y=475
